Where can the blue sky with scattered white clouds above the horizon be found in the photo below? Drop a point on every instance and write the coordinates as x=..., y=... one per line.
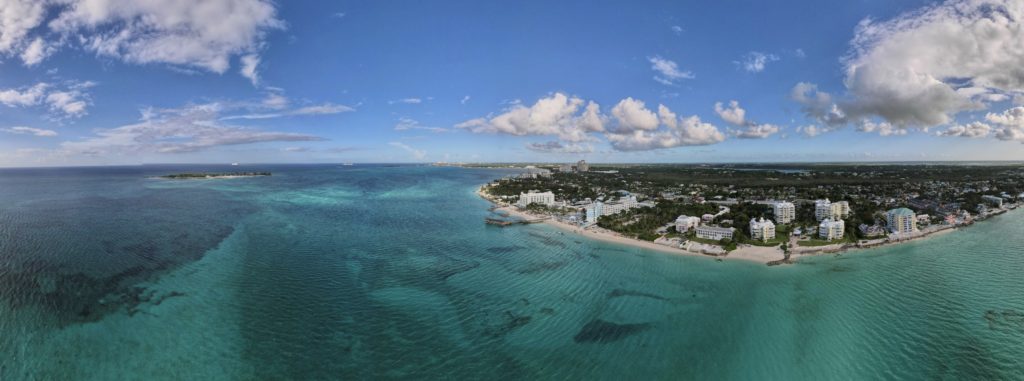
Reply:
x=133, y=82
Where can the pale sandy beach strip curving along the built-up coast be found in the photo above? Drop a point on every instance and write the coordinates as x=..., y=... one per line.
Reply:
x=750, y=253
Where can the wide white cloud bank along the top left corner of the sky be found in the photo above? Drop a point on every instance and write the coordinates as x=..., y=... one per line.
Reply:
x=196, y=34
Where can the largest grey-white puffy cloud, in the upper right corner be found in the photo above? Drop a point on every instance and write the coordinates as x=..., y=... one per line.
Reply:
x=923, y=68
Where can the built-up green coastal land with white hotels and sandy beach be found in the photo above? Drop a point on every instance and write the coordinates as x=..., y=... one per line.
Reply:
x=766, y=214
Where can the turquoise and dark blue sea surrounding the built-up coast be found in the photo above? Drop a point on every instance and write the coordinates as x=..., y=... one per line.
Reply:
x=389, y=272
